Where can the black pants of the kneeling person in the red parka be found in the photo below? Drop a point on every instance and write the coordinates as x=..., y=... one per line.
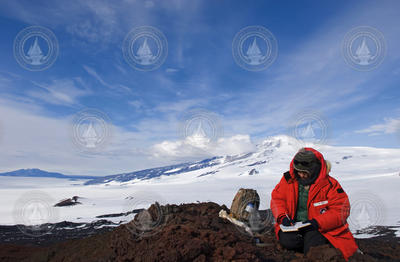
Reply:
x=301, y=241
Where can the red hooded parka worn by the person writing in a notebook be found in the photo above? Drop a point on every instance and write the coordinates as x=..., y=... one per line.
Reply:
x=327, y=203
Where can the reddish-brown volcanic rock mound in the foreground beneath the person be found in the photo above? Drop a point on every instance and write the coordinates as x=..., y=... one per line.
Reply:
x=189, y=232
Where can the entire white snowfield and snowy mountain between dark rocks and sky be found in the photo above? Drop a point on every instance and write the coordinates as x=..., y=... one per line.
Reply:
x=370, y=176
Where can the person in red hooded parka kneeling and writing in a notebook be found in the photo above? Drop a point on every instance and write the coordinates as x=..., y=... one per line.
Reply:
x=307, y=193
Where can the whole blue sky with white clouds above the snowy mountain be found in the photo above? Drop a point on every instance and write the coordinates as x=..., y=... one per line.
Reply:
x=145, y=108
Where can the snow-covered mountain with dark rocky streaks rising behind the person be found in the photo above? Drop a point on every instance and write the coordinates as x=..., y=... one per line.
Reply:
x=271, y=159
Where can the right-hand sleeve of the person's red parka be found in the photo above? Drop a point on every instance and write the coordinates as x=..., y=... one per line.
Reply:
x=338, y=208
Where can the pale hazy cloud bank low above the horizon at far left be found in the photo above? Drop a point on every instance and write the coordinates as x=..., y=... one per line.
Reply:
x=30, y=139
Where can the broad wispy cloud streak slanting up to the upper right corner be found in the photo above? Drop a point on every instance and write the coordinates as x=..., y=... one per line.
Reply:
x=312, y=75
